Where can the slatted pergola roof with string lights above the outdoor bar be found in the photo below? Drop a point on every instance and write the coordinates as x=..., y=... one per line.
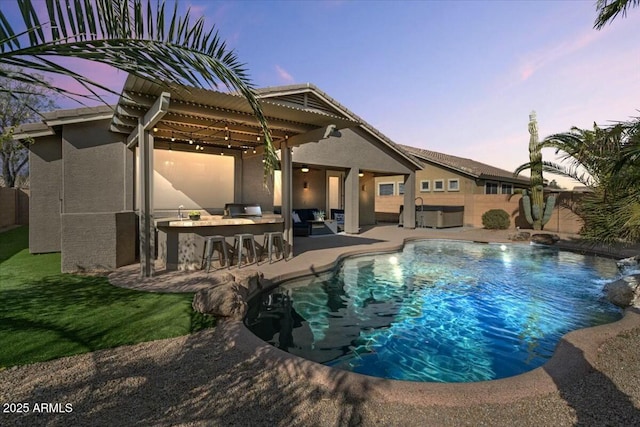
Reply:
x=215, y=118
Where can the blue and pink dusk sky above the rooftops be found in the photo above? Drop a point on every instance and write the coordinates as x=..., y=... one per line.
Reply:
x=459, y=77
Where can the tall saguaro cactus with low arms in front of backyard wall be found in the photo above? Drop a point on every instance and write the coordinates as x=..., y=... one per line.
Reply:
x=536, y=210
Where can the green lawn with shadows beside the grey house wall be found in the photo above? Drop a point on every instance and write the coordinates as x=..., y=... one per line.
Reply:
x=45, y=314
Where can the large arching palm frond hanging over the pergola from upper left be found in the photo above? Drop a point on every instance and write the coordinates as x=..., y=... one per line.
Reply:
x=130, y=35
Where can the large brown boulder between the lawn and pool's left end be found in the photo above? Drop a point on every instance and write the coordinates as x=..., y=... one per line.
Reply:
x=226, y=300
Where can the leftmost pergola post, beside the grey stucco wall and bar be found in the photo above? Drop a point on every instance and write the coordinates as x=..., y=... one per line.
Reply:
x=147, y=229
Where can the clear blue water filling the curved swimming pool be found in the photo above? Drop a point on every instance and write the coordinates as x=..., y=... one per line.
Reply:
x=440, y=311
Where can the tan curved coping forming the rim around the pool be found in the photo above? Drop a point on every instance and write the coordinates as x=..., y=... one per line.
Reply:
x=575, y=356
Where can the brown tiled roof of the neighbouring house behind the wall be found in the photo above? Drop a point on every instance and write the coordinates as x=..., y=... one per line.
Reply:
x=466, y=166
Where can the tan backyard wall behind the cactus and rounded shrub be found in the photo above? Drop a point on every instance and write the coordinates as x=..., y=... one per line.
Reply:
x=563, y=220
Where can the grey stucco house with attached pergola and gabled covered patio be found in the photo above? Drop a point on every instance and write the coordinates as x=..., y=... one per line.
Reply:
x=107, y=183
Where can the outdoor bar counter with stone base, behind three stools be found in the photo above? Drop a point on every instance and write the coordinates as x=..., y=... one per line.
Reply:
x=181, y=242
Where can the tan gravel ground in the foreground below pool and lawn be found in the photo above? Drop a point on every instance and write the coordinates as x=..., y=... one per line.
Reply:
x=205, y=379
